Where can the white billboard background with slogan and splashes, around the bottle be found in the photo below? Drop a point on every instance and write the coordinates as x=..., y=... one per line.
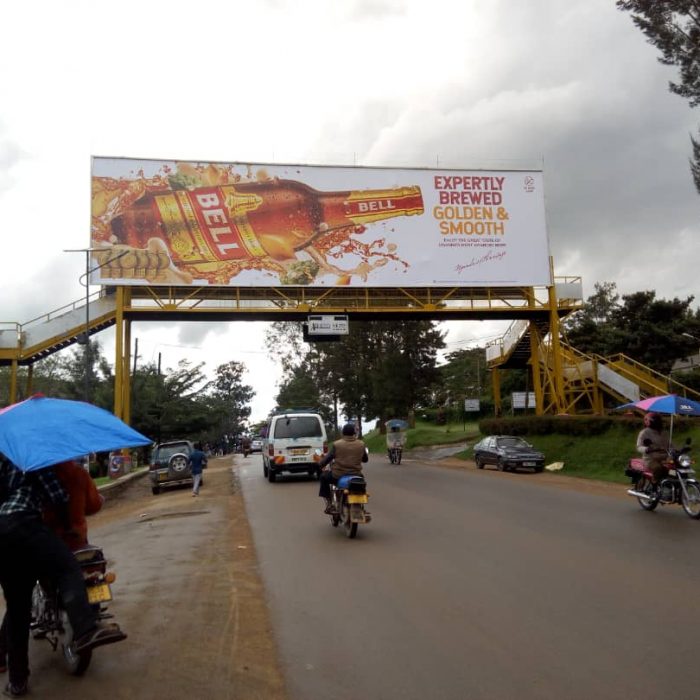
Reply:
x=477, y=228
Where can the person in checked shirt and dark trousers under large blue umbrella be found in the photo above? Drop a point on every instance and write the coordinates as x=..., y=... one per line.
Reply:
x=31, y=550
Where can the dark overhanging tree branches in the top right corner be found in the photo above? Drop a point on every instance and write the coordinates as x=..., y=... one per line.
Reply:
x=673, y=26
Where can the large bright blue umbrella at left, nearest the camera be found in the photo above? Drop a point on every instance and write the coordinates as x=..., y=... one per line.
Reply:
x=39, y=432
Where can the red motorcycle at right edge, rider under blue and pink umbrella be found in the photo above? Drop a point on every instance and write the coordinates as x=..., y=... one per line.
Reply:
x=679, y=487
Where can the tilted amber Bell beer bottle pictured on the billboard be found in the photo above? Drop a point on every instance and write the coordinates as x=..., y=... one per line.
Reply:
x=245, y=221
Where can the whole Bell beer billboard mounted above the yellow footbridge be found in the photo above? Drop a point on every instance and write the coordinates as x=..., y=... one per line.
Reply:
x=255, y=225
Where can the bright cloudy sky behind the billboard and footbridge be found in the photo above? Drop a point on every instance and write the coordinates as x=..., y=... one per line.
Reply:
x=569, y=86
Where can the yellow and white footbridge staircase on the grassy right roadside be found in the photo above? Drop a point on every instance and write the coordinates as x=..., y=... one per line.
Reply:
x=585, y=381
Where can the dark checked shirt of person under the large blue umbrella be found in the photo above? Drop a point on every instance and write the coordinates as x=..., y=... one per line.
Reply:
x=28, y=492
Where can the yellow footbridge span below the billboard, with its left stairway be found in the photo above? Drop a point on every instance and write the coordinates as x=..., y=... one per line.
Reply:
x=23, y=344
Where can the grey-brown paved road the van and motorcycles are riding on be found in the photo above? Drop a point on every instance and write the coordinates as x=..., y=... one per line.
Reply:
x=477, y=584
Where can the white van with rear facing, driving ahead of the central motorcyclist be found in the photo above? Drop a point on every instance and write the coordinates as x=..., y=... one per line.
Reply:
x=294, y=442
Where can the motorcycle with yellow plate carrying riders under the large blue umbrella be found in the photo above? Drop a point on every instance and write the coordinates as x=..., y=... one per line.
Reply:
x=49, y=620
